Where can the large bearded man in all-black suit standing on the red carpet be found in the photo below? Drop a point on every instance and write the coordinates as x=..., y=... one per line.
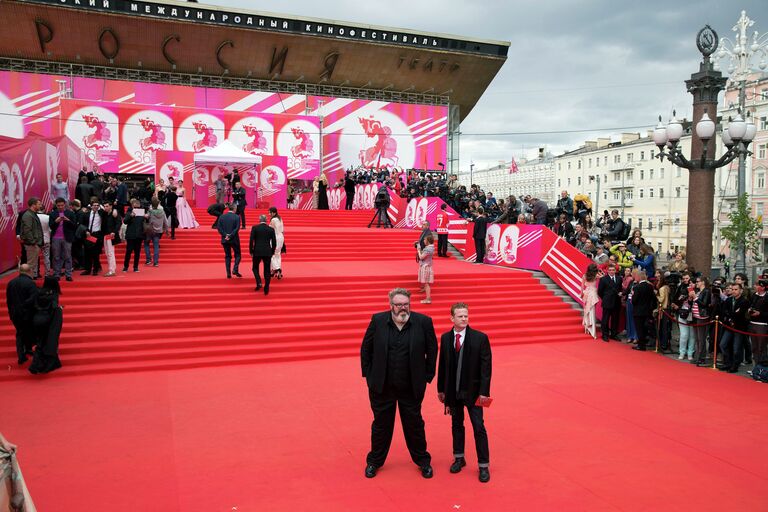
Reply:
x=398, y=357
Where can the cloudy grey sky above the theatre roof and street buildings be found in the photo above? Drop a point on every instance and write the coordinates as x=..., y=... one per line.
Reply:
x=593, y=68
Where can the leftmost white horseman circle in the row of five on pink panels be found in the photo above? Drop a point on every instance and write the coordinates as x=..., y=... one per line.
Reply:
x=93, y=129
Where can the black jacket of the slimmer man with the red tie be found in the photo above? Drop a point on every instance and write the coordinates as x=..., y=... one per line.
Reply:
x=476, y=367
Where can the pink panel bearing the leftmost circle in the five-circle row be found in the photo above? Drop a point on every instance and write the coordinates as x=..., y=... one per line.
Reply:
x=95, y=128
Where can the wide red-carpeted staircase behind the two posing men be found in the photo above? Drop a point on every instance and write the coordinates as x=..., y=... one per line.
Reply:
x=185, y=314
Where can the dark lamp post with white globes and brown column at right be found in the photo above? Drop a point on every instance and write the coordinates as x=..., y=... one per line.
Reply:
x=705, y=85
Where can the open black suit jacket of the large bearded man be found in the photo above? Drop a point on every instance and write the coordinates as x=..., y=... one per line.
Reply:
x=423, y=349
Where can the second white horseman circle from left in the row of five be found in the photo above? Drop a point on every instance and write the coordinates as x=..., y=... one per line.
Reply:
x=145, y=133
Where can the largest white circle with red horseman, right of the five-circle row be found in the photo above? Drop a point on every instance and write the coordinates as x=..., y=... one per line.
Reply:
x=381, y=140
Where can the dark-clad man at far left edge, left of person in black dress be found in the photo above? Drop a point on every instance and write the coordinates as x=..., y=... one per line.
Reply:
x=19, y=296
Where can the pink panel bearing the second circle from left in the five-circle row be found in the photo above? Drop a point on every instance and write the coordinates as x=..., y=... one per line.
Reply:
x=145, y=130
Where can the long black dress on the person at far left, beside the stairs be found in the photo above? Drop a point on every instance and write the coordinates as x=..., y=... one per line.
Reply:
x=47, y=320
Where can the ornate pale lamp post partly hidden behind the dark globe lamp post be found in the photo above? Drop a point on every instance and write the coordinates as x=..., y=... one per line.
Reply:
x=740, y=53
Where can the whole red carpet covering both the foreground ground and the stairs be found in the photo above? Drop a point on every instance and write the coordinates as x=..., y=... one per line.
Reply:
x=578, y=425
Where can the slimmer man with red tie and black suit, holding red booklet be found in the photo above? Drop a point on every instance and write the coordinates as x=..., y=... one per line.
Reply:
x=463, y=380
